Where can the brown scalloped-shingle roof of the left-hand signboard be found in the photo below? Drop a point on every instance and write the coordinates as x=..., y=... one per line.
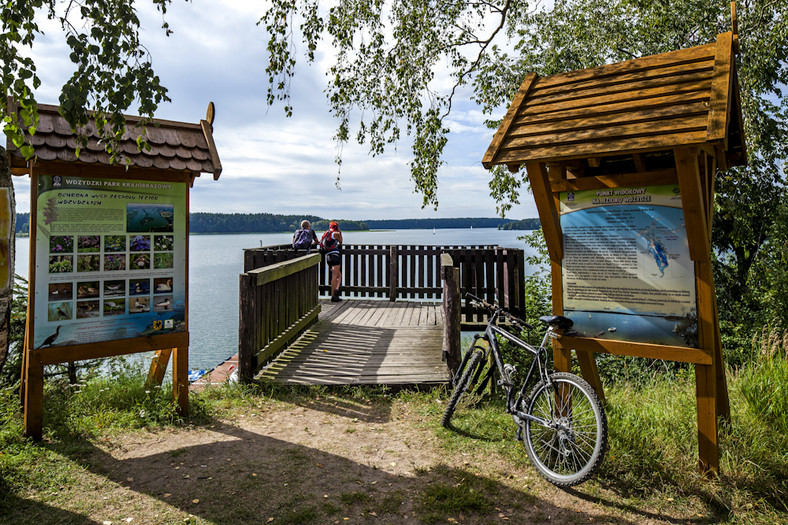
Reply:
x=178, y=146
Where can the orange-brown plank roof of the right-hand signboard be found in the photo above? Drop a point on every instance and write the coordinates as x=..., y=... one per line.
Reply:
x=647, y=105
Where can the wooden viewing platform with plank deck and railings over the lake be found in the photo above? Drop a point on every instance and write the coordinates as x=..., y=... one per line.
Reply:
x=390, y=327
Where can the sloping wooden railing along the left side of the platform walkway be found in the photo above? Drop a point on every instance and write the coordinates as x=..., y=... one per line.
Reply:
x=277, y=303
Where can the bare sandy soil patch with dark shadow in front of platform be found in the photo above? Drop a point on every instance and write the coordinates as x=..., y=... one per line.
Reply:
x=325, y=461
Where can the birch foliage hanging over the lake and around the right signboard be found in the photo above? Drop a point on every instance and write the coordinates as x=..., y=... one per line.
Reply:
x=389, y=56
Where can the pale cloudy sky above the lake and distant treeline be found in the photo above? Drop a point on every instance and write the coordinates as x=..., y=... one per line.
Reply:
x=274, y=164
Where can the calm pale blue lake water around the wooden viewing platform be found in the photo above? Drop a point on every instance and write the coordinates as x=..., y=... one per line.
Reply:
x=215, y=262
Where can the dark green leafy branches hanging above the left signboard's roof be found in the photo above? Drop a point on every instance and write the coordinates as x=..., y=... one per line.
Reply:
x=112, y=69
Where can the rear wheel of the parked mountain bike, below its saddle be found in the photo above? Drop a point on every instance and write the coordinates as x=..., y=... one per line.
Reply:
x=570, y=450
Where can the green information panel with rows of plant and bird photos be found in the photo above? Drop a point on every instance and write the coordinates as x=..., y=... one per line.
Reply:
x=110, y=259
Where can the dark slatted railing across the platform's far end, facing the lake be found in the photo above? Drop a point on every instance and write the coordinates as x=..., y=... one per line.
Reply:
x=414, y=272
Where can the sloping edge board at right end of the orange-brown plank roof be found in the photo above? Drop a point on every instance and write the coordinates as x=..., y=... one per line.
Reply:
x=720, y=104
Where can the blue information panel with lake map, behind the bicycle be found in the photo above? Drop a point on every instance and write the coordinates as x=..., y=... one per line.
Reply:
x=627, y=273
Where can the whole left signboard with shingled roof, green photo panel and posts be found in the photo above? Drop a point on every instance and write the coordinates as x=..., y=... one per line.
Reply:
x=109, y=251
